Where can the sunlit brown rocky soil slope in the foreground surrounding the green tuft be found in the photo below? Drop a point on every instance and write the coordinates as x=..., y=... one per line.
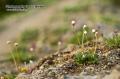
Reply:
x=61, y=65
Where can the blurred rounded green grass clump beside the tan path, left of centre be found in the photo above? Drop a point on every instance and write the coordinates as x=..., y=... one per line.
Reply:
x=29, y=35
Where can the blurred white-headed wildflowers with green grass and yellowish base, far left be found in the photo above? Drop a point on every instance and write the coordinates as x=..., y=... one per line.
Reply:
x=19, y=54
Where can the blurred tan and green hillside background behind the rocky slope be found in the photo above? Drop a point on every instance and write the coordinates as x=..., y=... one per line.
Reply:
x=44, y=26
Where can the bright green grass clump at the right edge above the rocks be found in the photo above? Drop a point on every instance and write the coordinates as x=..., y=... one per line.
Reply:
x=113, y=42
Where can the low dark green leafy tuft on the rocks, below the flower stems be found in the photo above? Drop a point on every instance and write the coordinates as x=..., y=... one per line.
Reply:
x=86, y=58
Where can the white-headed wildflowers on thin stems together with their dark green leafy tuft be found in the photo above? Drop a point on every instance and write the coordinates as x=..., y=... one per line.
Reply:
x=89, y=57
